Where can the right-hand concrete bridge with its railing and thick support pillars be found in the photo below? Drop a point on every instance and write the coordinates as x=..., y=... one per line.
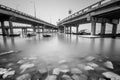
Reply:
x=104, y=11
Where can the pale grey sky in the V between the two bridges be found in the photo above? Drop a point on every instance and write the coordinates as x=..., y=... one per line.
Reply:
x=48, y=10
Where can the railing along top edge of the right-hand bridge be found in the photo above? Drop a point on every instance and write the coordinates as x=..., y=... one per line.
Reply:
x=87, y=9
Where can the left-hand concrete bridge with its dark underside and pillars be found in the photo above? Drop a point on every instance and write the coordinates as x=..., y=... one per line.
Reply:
x=12, y=15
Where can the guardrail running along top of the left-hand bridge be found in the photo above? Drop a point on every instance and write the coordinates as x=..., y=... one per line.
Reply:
x=21, y=13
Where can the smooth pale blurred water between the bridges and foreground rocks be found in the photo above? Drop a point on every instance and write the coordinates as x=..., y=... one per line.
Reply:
x=61, y=46
